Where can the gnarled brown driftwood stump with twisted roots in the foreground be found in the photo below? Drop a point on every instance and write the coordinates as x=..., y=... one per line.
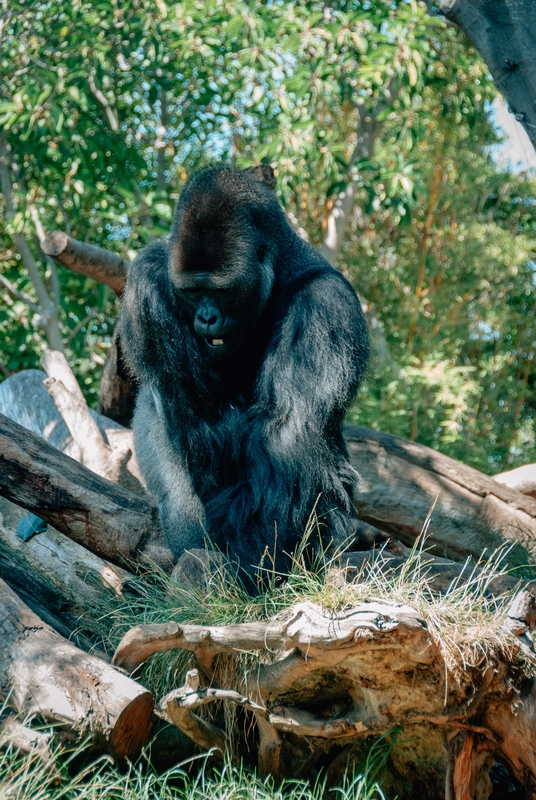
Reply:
x=323, y=682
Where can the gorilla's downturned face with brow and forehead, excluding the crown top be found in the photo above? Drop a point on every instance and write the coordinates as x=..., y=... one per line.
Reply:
x=222, y=269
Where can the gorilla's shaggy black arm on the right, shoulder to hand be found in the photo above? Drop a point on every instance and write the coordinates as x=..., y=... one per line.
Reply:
x=307, y=383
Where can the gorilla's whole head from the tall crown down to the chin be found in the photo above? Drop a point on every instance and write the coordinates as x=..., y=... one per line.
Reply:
x=222, y=257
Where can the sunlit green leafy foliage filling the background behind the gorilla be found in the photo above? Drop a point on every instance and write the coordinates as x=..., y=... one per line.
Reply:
x=106, y=109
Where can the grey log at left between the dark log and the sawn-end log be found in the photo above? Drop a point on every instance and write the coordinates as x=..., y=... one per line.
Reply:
x=62, y=582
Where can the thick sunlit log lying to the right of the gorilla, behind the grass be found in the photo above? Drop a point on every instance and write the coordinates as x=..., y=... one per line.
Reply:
x=400, y=482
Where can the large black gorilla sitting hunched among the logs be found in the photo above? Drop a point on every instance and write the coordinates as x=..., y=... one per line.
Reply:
x=248, y=348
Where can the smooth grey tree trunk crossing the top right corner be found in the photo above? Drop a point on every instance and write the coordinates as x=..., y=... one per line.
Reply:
x=504, y=32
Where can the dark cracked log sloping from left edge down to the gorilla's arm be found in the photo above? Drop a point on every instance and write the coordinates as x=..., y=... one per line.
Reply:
x=106, y=518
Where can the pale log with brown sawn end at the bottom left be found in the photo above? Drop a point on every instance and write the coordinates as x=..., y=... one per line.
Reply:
x=46, y=675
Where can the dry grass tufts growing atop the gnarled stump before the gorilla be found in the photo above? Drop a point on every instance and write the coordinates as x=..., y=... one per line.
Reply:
x=466, y=621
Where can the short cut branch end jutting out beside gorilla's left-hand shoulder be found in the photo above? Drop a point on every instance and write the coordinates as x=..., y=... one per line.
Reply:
x=87, y=259
